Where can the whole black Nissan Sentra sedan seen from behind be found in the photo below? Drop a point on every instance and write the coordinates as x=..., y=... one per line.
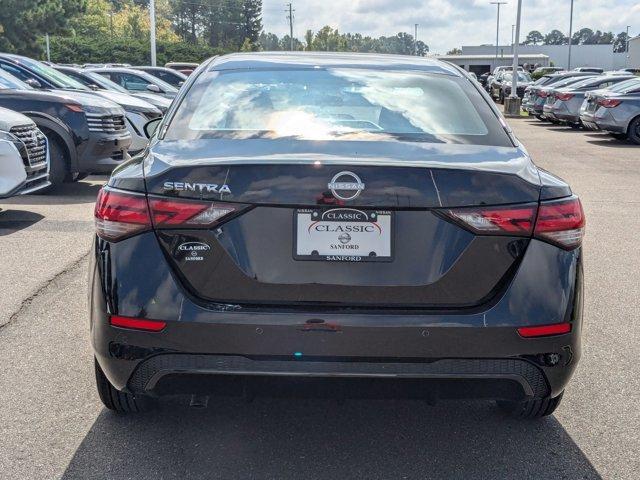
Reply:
x=335, y=224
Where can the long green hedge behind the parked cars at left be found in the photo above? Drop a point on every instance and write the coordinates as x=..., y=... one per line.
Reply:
x=80, y=49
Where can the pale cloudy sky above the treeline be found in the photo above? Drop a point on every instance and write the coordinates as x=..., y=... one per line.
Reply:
x=445, y=24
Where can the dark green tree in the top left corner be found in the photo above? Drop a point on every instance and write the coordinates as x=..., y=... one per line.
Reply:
x=23, y=22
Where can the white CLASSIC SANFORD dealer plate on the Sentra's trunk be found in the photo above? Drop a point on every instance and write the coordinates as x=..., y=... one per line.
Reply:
x=343, y=235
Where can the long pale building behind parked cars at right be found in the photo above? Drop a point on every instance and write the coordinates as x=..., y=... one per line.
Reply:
x=482, y=58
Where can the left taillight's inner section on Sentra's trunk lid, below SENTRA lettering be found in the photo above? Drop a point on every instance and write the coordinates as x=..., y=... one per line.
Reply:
x=172, y=213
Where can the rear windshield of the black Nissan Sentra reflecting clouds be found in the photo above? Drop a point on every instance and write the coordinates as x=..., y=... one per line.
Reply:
x=340, y=103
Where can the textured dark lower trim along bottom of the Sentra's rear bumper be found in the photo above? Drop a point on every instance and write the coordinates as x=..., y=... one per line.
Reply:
x=158, y=373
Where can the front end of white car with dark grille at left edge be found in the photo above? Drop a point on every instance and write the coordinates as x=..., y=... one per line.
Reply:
x=24, y=155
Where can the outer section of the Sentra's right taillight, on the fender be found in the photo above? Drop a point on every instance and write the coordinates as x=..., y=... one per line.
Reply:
x=561, y=222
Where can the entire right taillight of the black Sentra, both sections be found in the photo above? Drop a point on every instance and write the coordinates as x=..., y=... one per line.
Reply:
x=560, y=222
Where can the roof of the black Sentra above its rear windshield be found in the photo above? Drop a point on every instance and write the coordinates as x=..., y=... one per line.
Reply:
x=292, y=60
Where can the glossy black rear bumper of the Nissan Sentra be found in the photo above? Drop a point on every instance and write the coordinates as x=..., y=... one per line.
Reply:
x=215, y=341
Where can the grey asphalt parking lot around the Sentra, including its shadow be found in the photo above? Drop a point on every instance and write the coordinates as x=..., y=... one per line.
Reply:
x=52, y=424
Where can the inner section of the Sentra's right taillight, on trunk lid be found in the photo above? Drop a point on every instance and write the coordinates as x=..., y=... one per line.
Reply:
x=511, y=220
